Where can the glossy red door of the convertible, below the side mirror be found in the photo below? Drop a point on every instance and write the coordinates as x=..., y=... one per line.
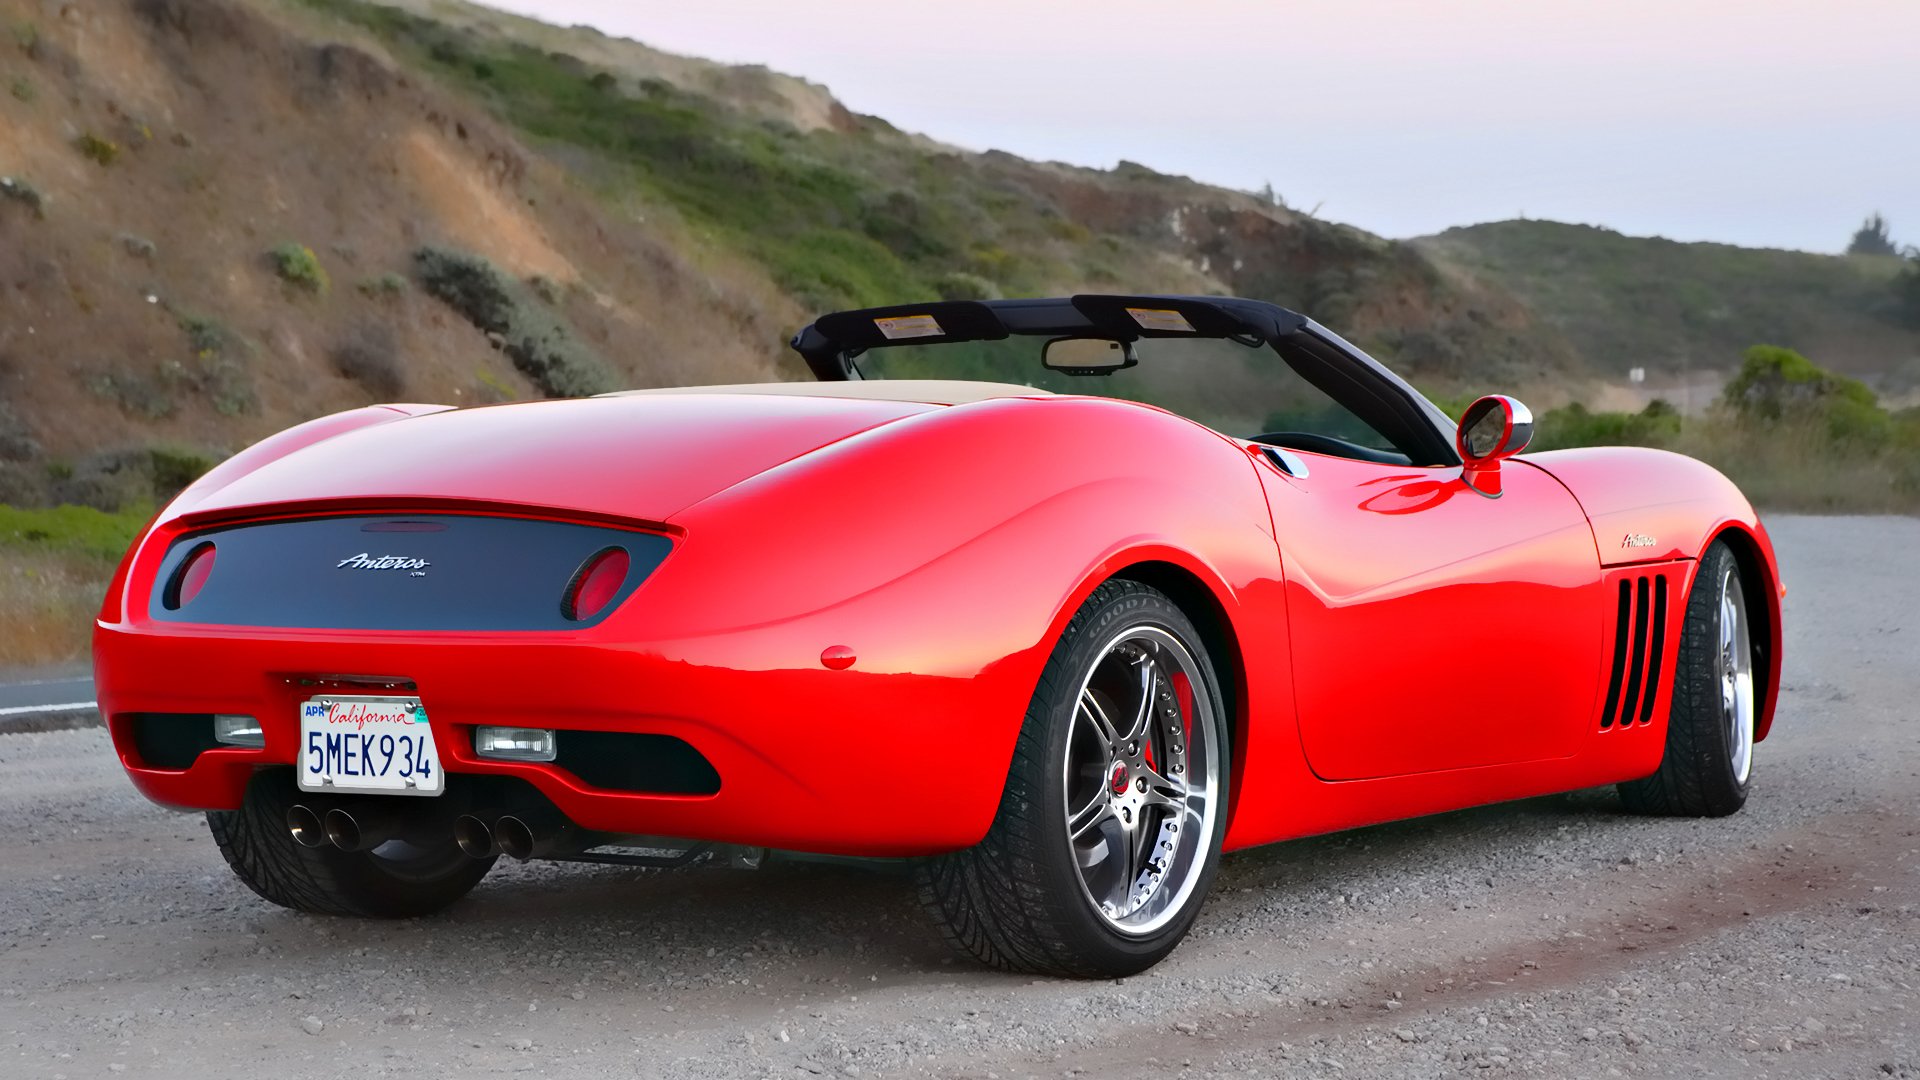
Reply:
x=1435, y=627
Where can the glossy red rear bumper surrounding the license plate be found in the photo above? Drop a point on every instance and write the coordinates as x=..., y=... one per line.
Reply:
x=809, y=760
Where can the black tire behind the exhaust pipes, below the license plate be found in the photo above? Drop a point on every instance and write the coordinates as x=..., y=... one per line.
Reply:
x=396, y=881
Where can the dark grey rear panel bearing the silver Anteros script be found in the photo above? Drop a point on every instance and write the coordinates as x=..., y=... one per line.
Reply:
x=398, y=574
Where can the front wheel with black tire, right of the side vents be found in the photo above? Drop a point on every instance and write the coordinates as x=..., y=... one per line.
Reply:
x=1706, y=772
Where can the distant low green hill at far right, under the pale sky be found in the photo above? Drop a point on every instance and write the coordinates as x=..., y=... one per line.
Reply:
x=1650, y=303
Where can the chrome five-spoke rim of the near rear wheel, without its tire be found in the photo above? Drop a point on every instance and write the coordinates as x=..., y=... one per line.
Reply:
x=1141, y=779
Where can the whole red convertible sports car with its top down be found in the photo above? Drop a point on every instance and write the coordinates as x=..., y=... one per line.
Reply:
x=1059, y=647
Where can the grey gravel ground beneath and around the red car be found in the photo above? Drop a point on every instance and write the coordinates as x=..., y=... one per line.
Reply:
x=1541, y=939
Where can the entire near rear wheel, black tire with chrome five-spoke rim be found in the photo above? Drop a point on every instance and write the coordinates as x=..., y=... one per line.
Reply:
x=1111, y=825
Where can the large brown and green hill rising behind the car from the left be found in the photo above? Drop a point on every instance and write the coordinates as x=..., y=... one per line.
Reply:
x=216, y=214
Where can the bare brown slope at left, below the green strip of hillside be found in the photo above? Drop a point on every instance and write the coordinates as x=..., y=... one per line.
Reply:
x=210, y=228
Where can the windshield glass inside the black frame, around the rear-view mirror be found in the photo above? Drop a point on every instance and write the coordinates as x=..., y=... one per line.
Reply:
x=1234, y=389
